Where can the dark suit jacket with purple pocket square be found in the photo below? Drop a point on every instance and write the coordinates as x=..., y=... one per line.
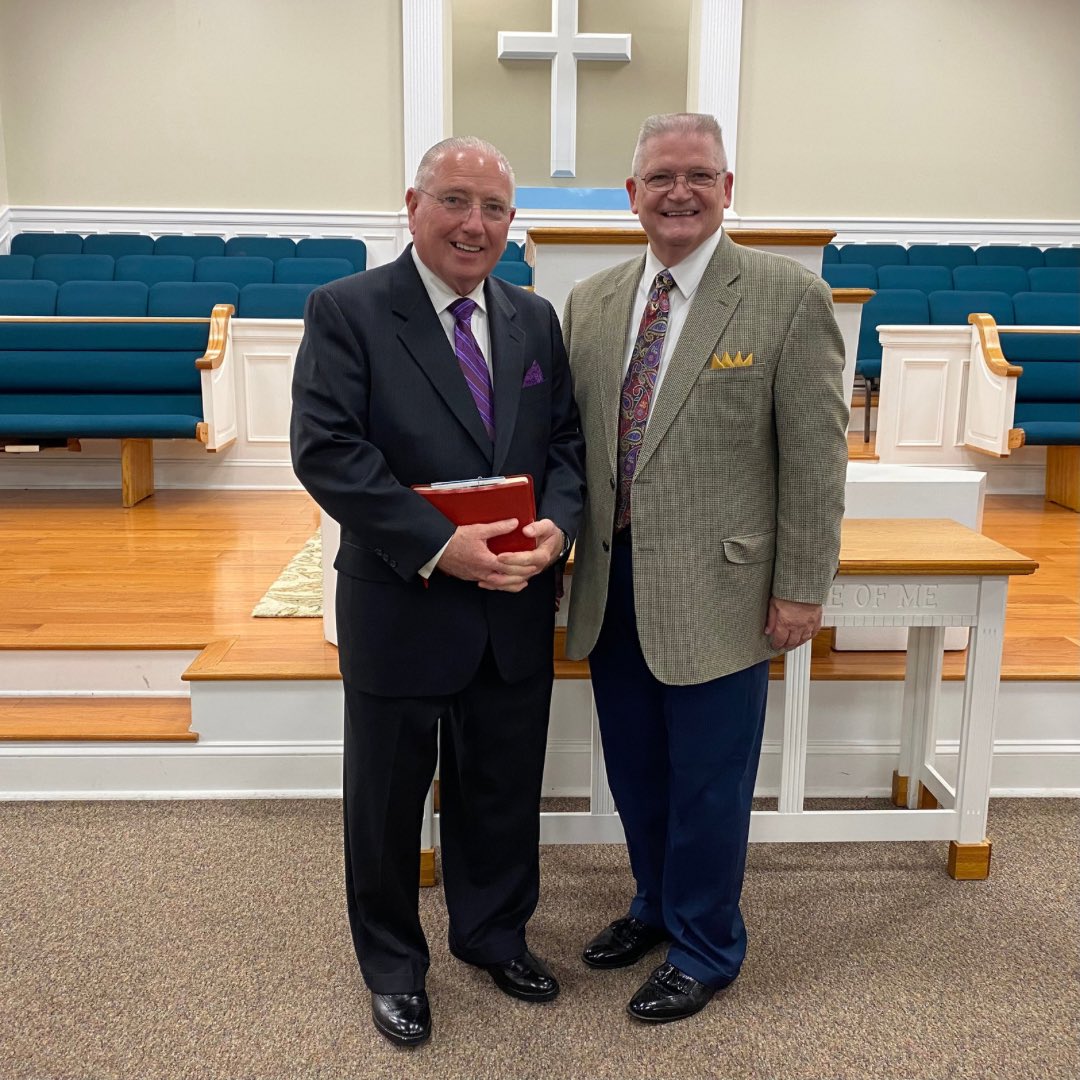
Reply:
x=380, y=403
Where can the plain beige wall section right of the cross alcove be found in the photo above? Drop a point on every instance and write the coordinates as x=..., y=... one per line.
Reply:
x=911, y=109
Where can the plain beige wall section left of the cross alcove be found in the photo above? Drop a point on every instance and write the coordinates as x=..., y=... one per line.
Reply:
x=246, y=104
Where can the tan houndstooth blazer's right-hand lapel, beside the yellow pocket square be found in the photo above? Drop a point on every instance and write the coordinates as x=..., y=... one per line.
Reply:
x=711, y=310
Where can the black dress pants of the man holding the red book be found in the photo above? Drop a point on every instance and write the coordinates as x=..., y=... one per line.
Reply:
x=491, y=740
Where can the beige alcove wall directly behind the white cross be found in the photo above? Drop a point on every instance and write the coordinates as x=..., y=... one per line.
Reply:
x=510, y=102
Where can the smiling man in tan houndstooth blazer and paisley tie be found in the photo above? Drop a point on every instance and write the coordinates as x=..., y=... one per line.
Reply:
x=709, y=379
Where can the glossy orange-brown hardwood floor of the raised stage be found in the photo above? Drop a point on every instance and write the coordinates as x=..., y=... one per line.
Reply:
x=184, y=570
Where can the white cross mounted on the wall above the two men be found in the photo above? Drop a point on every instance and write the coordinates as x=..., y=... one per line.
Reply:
x=564, y=47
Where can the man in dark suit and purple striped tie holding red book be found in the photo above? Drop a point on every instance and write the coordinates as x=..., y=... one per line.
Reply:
x=429, y=371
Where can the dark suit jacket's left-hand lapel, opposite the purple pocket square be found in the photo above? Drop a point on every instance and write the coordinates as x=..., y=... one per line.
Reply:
x=423, y=336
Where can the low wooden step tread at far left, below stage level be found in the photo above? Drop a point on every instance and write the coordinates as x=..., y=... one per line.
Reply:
x=98, y=720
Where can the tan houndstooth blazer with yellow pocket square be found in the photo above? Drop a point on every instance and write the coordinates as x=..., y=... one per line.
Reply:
x=739, y=490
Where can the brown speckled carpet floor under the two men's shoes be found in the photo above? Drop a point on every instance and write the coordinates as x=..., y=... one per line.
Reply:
x=209, y=940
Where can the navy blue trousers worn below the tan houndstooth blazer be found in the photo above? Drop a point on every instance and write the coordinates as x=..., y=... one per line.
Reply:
x=682, y=762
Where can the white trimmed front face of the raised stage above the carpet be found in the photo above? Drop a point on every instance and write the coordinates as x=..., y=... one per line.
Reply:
x=253, y=747
